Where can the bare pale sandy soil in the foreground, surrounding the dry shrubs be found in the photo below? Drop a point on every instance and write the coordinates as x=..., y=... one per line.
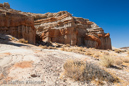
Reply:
x=29, y=65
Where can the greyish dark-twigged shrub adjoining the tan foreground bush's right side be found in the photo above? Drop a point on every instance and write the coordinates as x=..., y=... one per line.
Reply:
x=93, y=71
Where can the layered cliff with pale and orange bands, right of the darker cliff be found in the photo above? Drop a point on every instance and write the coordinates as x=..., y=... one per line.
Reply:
x=62, y=27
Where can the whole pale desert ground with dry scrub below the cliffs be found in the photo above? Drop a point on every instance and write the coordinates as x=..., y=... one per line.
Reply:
x=29, y=65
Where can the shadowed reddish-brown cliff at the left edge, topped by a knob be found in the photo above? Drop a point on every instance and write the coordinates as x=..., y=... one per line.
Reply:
x=14, y=23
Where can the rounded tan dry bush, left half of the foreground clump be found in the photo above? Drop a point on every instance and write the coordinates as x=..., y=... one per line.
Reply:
x=74, y=69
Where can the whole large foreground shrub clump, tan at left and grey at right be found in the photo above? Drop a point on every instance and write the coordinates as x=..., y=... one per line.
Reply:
x=80, y=70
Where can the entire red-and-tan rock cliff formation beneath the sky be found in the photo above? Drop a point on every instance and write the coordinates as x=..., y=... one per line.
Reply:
x=59, y=27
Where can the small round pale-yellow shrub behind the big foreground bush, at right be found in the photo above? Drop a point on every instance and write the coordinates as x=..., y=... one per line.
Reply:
x=107, y=61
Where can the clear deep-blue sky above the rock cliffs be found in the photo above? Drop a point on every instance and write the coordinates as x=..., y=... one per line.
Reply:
x=111, y=15
